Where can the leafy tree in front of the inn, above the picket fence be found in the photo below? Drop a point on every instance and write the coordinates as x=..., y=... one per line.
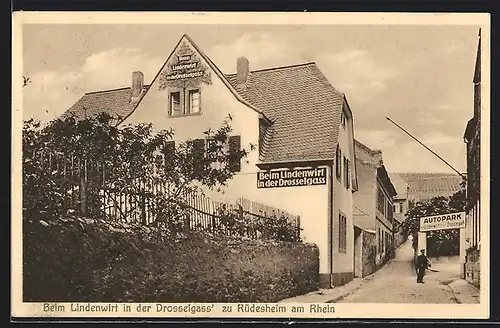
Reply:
x=131, y=158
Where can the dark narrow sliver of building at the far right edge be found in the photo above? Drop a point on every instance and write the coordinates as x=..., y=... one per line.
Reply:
x=472, y=137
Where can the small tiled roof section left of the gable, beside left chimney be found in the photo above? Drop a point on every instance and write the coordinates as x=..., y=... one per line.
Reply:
x=116, y=102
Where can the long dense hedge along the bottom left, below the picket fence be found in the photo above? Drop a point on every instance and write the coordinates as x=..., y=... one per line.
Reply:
x=78, y=260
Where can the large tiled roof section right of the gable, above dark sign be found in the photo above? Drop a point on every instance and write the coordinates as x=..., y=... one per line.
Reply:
x=304, y=107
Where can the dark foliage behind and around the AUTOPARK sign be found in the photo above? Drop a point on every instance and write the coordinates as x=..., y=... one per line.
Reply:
x=440, y=242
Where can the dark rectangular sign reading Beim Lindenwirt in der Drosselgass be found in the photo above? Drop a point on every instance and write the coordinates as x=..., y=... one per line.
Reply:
x=291, y=178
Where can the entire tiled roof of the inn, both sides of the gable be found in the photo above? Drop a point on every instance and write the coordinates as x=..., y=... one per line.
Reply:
x=304, y=108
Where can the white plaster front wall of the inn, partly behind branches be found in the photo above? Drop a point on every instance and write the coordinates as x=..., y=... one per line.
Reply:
x=217, y=101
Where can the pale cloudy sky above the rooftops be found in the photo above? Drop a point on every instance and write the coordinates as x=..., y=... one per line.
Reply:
x=419, y=76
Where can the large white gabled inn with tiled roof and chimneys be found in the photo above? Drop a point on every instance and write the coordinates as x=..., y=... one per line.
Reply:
x=297, y=119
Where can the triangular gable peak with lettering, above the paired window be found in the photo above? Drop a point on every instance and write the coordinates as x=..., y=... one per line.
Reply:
x=185, y=69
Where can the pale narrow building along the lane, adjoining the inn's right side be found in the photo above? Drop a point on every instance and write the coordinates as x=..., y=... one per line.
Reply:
x=373, y=211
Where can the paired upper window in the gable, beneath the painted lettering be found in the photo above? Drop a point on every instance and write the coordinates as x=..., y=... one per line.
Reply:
x=184, y=101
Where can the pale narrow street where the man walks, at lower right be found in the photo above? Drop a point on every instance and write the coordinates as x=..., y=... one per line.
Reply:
x=396, y=283
